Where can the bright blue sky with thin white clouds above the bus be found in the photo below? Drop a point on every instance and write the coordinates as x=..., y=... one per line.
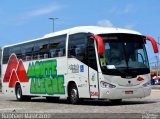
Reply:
x=22, y=20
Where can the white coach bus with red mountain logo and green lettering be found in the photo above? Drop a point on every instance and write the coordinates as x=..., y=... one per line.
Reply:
x=85, y=62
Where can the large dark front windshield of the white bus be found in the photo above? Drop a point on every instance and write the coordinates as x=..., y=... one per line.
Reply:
x=124, y=53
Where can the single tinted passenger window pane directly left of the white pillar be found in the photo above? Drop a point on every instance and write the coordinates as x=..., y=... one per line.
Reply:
x=57, y=46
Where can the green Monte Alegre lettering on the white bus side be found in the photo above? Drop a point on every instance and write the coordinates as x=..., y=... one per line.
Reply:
x=44, y=78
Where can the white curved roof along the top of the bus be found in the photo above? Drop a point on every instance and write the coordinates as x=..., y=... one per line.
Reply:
x=85, y=29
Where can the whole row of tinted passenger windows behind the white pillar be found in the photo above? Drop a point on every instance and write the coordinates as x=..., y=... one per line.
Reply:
x=46, y=48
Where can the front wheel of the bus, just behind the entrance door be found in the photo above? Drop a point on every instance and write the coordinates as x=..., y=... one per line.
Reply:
x=73, y=94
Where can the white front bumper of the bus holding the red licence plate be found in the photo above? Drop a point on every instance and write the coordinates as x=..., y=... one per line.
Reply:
x=124, y=93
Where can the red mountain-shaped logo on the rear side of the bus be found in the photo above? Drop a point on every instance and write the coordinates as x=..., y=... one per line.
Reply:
x=15, y=71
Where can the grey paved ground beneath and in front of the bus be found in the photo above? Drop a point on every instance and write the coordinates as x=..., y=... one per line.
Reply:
x=146, y=105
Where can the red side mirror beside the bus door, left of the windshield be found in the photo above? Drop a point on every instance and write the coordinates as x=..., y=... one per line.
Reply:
x=100, y=43
